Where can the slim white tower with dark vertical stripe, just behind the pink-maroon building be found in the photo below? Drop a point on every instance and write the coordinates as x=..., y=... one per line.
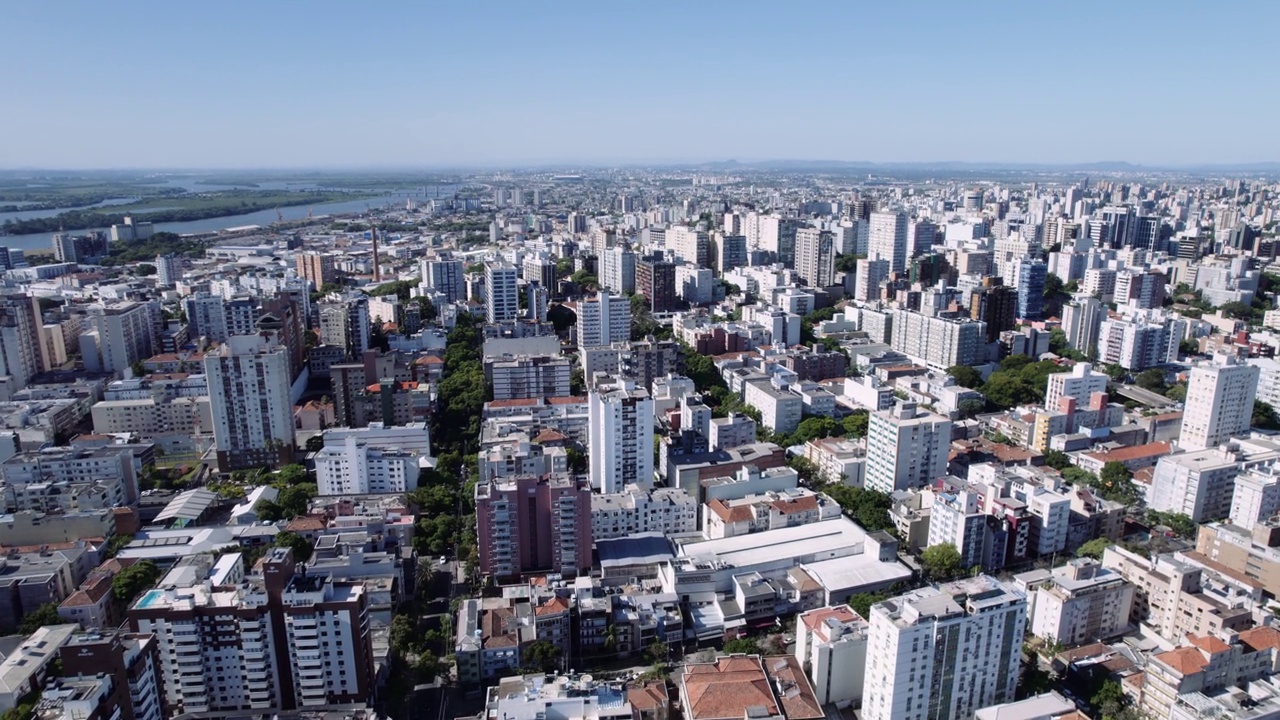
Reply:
x=621, y=436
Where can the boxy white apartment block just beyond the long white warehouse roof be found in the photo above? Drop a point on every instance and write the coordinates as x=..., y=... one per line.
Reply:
x=906, y=448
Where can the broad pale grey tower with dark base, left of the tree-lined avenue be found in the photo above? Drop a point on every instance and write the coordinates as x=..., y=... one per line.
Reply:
x=252, y=404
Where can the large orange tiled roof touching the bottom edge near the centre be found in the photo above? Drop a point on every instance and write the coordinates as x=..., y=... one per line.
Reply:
x=728, y=689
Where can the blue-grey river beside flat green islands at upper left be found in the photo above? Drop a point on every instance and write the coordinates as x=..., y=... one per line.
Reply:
x=44, y=240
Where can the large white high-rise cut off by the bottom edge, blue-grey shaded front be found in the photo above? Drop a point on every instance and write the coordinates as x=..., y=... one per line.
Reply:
x=943, y=653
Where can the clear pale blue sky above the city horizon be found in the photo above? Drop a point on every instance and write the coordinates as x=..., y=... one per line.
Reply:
x=493, y=84
